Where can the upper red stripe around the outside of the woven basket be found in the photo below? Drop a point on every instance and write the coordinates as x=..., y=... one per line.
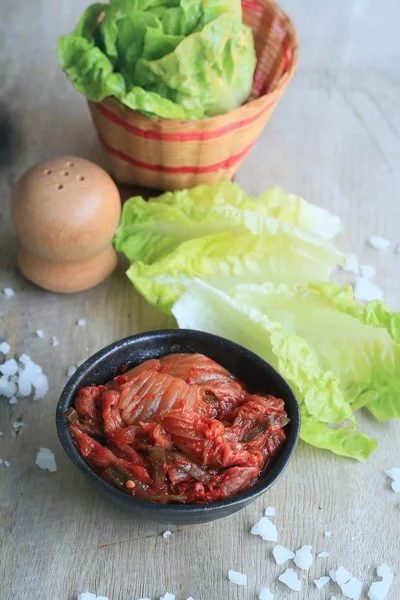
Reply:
x=193, y=136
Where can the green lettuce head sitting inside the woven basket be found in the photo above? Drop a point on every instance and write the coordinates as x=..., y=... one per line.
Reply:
x=178, y=59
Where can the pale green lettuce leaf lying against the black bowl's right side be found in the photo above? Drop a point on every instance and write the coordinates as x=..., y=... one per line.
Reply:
x=336, y=354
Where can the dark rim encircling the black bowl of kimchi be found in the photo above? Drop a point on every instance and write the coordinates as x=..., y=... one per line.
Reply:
x=73, y=385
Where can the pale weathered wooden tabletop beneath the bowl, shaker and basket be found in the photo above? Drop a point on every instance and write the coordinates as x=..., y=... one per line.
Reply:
x=335, y=138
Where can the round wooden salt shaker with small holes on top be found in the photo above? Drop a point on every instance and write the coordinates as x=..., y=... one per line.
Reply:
x=65, y=212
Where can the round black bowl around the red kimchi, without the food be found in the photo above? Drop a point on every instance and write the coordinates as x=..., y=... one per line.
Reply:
x=256, y=375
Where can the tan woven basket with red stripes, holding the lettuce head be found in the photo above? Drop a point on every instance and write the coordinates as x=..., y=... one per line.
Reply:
x=170, y=154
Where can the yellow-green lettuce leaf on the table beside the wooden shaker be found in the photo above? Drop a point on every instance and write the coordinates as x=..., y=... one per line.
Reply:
x=218, y=231
